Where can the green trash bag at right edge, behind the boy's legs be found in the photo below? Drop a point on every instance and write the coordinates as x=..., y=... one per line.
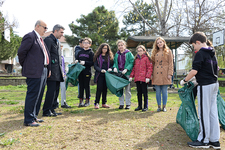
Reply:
x=221, y=110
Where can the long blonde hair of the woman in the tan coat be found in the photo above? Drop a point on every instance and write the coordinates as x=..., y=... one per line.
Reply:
x=156, y=49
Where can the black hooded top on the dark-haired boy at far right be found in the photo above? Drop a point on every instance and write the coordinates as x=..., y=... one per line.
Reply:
x=205, y=63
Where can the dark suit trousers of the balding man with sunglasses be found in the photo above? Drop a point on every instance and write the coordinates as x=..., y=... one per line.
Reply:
x=35, y=90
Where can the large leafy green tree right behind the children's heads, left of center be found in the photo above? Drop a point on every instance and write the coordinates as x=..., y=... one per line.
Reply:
x=100, y=25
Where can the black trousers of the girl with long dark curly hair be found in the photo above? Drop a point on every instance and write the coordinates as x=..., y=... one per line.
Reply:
x=101, y=89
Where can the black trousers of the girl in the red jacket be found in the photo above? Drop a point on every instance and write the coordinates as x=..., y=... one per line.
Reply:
x=142, y=88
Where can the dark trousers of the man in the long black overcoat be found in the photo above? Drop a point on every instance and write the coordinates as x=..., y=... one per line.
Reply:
x=51, y=96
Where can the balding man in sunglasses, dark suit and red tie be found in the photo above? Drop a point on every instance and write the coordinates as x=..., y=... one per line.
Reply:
x=34, y=58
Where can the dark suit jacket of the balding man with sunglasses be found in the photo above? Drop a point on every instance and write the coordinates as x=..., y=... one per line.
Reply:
x=31, y=56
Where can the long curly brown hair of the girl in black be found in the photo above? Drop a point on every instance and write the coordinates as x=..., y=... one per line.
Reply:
x=108, y=53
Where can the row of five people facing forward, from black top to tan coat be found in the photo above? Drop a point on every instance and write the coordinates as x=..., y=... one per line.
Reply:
x=142, y=67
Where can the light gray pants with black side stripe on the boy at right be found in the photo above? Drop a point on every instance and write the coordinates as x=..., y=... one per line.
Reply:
x=208, y=114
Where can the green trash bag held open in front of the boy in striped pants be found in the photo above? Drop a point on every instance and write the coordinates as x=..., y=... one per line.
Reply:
x=187, y=114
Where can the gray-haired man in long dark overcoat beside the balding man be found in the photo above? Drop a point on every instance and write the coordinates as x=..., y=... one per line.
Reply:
x=53, y=83
